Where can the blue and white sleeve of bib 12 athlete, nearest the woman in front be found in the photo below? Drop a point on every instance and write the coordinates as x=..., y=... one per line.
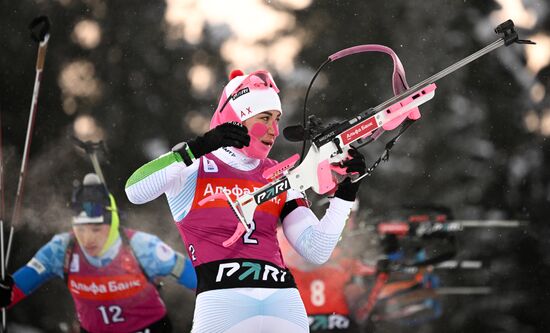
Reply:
x=158, y=259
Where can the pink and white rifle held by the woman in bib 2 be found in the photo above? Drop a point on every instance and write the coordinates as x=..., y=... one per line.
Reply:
x=320, y=169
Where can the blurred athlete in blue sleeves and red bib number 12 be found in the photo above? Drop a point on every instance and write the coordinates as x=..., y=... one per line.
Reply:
x=109, y=270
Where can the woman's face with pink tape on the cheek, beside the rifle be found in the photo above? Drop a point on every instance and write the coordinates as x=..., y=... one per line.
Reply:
x=263, y=129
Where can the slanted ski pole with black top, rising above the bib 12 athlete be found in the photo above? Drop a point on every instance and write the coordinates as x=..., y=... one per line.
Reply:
x=40, y=33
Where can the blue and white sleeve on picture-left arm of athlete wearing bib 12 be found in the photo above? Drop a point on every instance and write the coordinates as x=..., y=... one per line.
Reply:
x=46, y=264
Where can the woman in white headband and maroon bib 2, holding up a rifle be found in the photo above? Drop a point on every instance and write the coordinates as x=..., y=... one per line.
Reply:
x=243, y=285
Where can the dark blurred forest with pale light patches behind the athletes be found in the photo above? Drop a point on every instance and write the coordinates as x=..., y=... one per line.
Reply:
x=145, y=75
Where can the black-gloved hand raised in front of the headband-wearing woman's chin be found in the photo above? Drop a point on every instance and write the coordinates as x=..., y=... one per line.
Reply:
x=232, y=134
